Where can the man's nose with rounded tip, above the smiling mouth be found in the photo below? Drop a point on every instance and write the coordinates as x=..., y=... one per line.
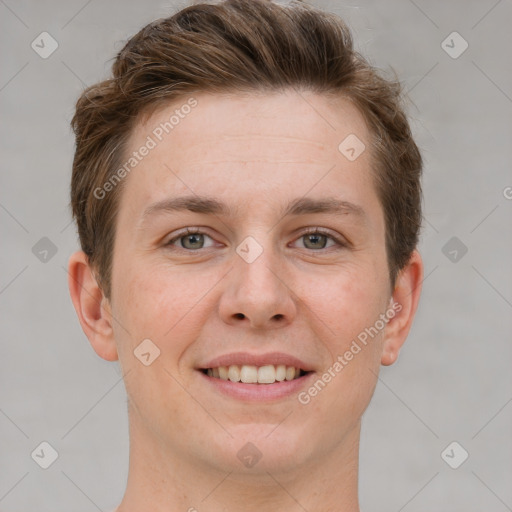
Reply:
x=257, y=294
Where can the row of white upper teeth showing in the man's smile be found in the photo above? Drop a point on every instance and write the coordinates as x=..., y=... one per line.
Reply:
x=250, y=374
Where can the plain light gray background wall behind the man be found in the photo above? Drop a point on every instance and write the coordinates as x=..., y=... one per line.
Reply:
x=452, y=381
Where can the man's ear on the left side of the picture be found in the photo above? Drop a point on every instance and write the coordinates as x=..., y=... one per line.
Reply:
x=91, y=306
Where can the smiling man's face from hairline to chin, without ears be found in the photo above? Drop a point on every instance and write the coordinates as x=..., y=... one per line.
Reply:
x=285, y=266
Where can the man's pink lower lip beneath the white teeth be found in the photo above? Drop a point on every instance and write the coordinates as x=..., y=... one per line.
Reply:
x=259, y=392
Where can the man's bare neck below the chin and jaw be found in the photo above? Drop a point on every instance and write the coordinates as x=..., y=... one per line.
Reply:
x=161, y=481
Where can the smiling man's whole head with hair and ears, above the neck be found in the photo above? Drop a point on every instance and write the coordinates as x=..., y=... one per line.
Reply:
x=260, y=108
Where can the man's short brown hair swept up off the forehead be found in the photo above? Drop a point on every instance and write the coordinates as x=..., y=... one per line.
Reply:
x=239, y=45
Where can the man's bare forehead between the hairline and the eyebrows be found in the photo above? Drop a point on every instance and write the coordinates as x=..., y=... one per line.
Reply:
x=250, y=145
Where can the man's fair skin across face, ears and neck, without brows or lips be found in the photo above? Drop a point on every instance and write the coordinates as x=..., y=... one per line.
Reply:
x=255, y=153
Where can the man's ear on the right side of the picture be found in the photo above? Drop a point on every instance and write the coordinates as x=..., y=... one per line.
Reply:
x=404, y=302
